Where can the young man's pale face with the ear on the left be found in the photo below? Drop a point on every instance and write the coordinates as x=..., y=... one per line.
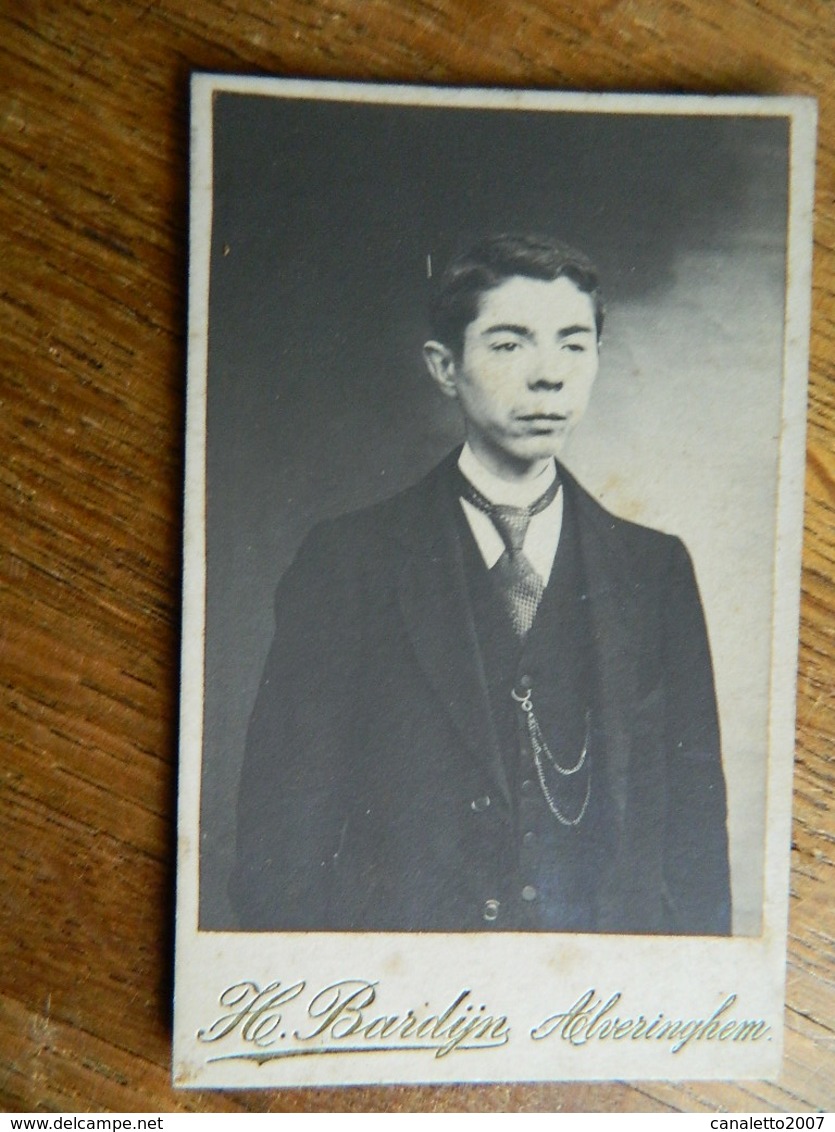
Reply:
x=526, y=372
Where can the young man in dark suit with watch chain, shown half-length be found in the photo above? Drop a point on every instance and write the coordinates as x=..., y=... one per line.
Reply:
x=489, y=704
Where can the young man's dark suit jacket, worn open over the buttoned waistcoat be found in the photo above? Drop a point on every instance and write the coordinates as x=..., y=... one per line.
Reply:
x=372, y=736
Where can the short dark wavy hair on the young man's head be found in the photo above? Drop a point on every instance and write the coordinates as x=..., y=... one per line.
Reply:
x=493, y=262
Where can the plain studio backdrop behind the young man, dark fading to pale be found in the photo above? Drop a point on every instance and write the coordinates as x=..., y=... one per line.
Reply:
x=328, y=219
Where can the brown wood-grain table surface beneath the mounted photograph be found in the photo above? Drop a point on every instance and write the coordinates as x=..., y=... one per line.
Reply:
x=93, y=210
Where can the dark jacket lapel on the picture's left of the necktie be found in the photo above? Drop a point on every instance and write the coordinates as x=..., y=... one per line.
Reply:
x=437, y=613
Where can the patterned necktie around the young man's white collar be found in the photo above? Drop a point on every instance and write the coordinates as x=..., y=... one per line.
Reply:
x=522, y=588
